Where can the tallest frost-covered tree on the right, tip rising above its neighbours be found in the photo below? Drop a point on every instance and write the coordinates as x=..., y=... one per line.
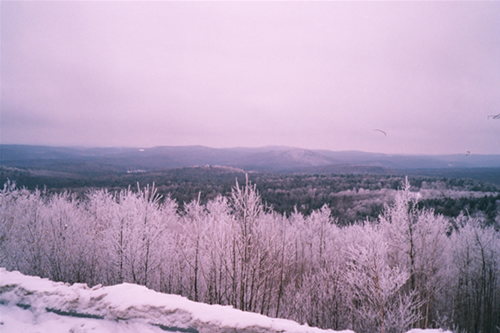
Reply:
x=417, y=241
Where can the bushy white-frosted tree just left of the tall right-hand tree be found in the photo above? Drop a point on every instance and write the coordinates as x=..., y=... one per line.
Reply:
x=378, y=299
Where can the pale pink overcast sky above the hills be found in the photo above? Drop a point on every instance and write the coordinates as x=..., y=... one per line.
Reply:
x=225, y=74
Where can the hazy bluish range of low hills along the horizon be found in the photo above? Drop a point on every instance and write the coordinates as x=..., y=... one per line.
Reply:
x=264, y=159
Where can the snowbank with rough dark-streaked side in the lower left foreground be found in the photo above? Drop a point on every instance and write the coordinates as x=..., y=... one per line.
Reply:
x=36, y=305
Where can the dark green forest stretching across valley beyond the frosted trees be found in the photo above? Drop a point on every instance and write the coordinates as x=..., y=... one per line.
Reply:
x=350, y=197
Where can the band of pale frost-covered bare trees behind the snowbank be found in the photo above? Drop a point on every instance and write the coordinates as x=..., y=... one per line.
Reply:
x=409, y=267
